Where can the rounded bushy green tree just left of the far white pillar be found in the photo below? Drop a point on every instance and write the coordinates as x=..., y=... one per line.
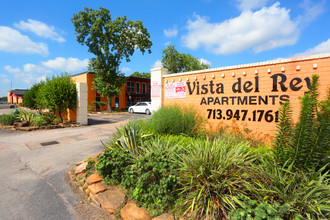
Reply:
x=58, y=94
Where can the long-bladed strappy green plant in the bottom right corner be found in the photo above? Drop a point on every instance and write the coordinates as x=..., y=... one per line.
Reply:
x=307, y=193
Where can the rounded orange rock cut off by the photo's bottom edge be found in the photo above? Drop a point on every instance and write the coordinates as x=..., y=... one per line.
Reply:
x=132, y=212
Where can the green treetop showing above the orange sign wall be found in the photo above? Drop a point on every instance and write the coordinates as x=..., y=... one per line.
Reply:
x=177, y=62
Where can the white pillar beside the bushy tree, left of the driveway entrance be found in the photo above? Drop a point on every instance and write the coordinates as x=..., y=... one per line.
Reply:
x=82, y=103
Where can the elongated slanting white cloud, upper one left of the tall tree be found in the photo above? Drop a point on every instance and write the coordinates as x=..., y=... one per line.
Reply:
x=40, y=29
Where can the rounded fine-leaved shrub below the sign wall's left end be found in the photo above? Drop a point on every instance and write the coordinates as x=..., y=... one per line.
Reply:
x=176, y=120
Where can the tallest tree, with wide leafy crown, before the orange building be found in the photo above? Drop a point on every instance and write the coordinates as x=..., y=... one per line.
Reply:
x=110, y=41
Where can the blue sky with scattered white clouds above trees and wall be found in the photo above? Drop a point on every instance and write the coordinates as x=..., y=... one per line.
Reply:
x=37, y=38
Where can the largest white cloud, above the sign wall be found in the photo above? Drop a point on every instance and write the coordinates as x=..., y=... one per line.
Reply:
x=268, y=28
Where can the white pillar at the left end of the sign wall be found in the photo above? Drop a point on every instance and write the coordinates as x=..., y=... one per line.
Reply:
x=157, y=86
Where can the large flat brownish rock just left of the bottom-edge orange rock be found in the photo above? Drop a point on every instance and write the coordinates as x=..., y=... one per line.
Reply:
x=111, y=200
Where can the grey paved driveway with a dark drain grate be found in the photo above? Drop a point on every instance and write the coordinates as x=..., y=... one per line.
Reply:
x=32, y=177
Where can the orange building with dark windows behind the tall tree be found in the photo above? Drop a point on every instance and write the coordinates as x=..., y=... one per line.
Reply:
x=135, y=90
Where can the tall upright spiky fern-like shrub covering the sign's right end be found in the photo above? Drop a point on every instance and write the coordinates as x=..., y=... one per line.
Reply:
x=307, y=146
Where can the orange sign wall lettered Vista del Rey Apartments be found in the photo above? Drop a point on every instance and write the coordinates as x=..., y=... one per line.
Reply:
x=249, y=94
